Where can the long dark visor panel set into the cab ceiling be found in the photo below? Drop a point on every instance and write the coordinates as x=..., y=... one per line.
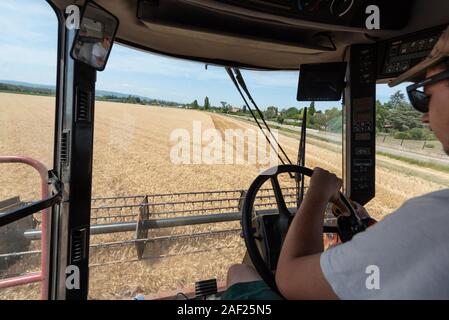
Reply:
x=208, y=27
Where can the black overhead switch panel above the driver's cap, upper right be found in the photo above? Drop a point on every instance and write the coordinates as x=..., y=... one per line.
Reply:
x=399, y=55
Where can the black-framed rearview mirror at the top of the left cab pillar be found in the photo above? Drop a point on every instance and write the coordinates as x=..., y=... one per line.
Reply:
x=94, y=39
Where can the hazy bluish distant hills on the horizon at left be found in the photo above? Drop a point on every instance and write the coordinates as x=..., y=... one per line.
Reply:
x=42, y=89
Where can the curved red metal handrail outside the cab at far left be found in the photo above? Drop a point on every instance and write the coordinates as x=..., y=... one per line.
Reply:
x=42, y=276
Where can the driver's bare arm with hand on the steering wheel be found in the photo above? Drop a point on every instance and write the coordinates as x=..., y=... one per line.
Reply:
x=299, y=274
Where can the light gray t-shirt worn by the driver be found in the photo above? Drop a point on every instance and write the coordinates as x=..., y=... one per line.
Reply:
x=404, y=256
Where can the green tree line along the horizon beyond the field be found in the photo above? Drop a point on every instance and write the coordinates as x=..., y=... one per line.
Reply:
x=396, y=117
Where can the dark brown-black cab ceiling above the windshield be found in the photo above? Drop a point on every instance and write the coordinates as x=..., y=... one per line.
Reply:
x=248, y=37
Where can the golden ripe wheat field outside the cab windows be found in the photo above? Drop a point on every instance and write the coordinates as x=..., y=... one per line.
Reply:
x=132, y=156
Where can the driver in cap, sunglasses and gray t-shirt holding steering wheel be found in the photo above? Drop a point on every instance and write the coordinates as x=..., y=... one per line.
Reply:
x=404, y=256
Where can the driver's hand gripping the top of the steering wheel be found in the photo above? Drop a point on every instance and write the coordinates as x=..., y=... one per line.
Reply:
x=327, y=184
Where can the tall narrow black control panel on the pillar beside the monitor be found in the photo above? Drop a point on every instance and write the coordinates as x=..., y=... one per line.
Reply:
x=361, y=127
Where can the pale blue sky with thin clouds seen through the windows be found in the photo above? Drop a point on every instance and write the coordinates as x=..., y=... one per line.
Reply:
x=28, y=53
